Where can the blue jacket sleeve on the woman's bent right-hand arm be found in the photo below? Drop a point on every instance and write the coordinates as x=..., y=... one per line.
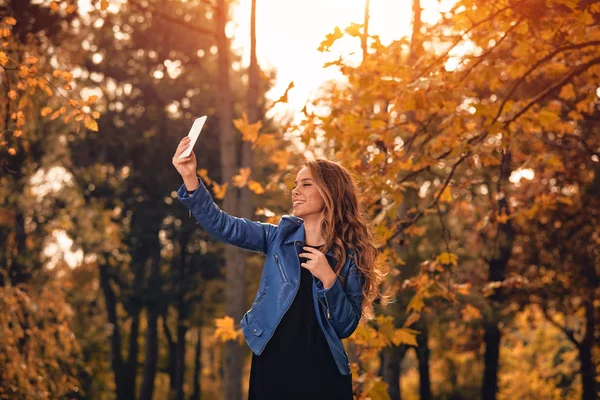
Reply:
x=343, y=305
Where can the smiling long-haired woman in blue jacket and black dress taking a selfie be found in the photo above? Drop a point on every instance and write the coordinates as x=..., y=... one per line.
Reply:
x=318, y=279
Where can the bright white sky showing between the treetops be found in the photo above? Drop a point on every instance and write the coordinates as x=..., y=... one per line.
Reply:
x=289, y=33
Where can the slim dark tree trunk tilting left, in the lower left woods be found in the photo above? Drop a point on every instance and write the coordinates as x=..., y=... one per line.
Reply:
x=116, y=359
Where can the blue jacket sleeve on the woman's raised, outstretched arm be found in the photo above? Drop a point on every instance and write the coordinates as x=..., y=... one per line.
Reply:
x=240, y=232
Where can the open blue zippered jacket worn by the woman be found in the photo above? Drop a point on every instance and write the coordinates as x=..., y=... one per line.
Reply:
x=338, y=308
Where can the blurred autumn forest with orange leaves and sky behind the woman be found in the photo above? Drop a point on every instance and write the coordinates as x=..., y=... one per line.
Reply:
x=471, y=126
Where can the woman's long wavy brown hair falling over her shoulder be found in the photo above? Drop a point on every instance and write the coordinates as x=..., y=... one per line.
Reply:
x=346, y=226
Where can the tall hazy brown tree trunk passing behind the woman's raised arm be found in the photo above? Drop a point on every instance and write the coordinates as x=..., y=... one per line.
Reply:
x=234, y=259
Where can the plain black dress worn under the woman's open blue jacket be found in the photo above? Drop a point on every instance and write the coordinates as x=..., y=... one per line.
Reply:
x=297, y=362
